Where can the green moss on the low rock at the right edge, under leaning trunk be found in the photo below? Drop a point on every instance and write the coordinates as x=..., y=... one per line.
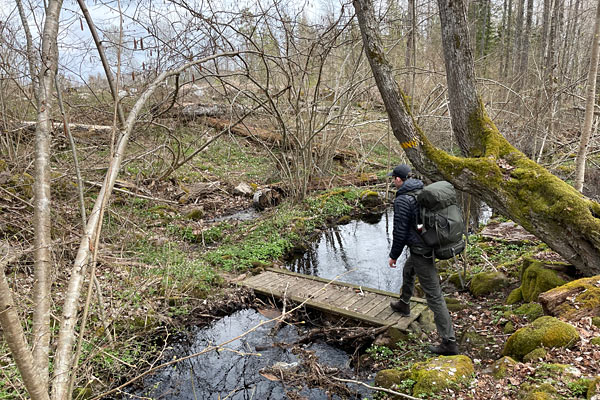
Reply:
x=587, y=299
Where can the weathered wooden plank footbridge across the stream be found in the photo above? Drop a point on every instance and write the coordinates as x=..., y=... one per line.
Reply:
x=351, y=301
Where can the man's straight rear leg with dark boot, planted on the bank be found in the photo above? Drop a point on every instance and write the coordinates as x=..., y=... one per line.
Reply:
x=430, y=282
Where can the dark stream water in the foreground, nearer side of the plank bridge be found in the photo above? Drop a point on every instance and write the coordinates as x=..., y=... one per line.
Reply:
x=233, y=371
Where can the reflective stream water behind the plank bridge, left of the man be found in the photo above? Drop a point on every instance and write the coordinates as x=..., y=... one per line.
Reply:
x=355, y=253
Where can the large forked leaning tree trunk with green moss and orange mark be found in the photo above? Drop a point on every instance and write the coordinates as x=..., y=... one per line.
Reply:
x=494, y=171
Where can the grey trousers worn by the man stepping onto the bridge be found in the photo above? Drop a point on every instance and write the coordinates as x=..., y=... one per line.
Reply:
x=424, y=268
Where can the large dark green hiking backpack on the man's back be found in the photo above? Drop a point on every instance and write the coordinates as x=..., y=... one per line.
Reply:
x=443, y=227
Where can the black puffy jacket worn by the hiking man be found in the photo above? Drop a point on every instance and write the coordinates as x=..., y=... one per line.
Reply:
x=406, y=212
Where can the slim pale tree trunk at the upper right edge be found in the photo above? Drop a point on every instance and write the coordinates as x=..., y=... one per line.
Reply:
x=589, y=106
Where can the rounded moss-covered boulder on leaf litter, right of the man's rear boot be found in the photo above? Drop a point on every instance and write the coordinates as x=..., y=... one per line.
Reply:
x=544, y=331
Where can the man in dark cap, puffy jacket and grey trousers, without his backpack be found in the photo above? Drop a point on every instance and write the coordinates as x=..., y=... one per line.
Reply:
x=420, y=261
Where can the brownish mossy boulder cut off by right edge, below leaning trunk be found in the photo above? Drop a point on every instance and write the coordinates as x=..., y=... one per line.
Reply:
x=574, y=300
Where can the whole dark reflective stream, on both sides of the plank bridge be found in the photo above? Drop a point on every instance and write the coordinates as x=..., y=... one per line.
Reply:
x=355, y=253
